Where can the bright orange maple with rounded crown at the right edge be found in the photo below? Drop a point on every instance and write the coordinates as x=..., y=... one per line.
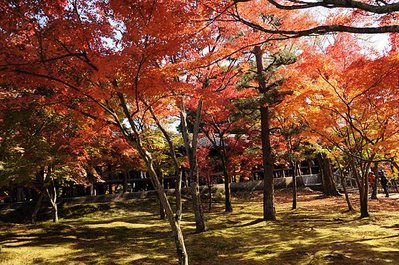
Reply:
x=348, y=102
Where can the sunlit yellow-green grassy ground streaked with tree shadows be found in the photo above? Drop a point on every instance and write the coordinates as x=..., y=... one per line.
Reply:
x=319, y=232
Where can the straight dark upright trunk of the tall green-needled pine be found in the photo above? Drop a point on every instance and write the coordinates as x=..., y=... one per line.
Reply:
x=269, y=212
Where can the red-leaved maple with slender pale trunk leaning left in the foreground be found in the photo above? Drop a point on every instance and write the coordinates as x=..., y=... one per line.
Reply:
x=101, y=60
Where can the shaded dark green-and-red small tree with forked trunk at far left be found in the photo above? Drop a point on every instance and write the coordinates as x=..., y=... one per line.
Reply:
x=38, y=151
